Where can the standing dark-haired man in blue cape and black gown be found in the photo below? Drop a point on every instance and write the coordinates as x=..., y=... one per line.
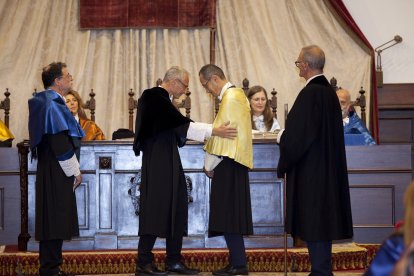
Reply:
x=54, y=142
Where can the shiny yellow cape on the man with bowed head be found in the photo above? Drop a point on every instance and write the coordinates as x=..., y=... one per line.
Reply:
x=234, y=107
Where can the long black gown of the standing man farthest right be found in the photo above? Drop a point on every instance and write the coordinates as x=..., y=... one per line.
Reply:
x=312, y=154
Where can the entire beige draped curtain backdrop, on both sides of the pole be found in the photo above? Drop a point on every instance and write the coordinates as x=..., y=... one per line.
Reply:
x=257, y=39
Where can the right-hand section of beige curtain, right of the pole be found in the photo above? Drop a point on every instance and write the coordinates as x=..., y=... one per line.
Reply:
x=261, y=39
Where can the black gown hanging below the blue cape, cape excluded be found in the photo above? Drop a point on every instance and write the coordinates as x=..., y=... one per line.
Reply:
x=56, y=212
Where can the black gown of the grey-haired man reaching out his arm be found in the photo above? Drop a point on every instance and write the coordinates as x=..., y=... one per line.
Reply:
x=160, y=130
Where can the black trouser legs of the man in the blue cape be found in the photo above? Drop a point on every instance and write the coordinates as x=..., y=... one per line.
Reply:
x=50, y=257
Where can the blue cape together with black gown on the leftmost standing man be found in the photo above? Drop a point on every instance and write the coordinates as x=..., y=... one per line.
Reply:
x=54, y=135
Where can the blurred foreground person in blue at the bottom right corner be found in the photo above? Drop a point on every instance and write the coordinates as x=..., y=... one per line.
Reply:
x=393, y=248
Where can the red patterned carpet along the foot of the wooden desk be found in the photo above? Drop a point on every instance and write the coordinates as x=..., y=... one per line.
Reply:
x=345, y=257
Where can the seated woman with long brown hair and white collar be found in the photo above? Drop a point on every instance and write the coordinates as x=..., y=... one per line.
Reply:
x=262, y=116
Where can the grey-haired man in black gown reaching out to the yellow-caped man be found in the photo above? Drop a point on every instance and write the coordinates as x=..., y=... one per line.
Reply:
x=160, y=129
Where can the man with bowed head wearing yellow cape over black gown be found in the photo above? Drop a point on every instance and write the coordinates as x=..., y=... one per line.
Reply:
x=227, y=163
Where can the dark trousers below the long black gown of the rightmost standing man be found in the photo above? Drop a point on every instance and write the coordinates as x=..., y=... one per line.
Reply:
x=320, y=254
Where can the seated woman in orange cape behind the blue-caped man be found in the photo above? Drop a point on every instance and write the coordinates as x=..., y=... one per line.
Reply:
x=92, y=131
